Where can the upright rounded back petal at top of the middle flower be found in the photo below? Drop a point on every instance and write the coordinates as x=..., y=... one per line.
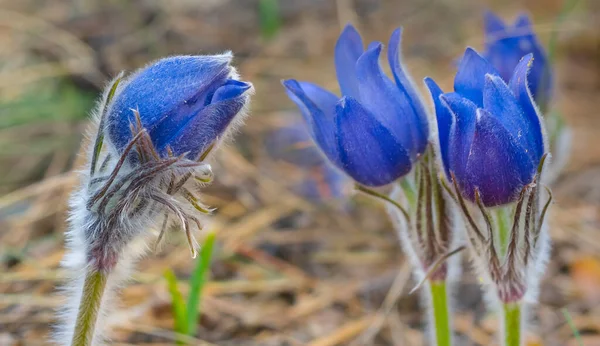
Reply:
x=348, y=49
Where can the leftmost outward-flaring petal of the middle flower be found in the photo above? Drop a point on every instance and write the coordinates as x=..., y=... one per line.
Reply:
x=318, y=108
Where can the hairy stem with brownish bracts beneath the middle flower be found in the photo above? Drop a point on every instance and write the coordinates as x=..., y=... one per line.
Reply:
x=423, y=215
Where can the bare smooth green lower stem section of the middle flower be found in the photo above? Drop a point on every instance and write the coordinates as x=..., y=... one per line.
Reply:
x=441, y=314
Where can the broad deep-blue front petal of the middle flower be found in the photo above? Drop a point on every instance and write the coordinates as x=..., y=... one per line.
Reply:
x=369, y=153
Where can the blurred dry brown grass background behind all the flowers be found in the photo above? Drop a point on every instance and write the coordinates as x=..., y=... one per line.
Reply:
x=299, y=260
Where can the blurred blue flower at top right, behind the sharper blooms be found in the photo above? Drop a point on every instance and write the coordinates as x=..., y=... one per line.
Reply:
x=505, y=46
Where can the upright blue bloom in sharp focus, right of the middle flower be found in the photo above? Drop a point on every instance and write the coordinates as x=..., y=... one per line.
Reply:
x=489, y=131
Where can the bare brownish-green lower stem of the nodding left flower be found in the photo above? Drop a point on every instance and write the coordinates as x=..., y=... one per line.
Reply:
x=91, y=298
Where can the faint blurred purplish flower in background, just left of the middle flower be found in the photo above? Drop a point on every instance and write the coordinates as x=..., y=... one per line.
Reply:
x=320, y=181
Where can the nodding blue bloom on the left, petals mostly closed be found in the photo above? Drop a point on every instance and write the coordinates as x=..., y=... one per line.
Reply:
x=185, y=103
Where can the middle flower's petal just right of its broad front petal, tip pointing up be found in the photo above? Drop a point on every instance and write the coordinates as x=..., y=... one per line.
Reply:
x=384, y=101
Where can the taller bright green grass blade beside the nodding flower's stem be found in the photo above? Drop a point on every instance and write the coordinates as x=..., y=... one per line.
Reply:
x=197, y=283
